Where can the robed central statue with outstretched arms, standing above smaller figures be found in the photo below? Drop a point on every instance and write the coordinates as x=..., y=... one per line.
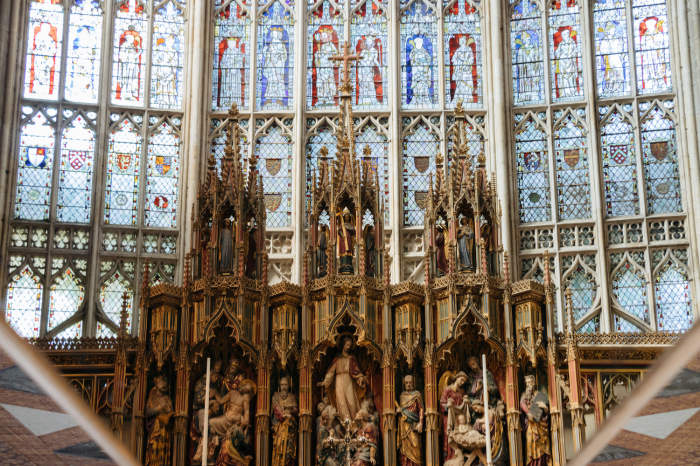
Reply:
x=343, y=381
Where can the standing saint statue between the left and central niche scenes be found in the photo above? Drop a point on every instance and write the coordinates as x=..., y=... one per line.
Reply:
x=284, y=426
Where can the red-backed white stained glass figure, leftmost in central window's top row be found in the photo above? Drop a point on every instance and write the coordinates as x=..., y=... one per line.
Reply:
x=231, y=55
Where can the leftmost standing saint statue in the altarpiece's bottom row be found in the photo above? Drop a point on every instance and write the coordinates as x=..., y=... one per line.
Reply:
x=159, y=410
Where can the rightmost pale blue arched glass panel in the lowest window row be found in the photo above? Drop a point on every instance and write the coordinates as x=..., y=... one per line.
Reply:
x=673, y=304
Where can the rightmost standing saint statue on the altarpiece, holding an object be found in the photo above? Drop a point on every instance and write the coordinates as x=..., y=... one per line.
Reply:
x=535, y=425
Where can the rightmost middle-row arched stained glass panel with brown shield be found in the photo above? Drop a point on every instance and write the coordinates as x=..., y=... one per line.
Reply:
x=660, y=157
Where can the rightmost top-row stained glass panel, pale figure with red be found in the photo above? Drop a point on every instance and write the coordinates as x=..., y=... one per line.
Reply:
x=651, y=44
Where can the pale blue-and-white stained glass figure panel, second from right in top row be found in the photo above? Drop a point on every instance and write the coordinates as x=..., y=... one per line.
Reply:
x=612, y=59
